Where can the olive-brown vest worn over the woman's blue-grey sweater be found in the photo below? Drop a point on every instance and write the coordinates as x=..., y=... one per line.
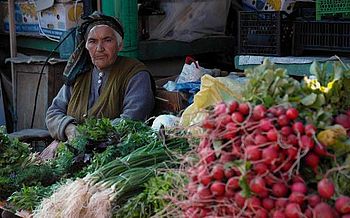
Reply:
x=110, y=102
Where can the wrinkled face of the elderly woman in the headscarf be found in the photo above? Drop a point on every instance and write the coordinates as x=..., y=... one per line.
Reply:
x=103, y=46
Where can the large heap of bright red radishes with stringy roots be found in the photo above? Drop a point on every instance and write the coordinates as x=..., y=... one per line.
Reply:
x=249, y=160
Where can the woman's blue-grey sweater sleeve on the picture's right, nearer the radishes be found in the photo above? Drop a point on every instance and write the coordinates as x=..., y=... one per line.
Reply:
x=139, y=99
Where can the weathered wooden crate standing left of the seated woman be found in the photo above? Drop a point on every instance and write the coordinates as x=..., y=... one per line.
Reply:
x=27, y=81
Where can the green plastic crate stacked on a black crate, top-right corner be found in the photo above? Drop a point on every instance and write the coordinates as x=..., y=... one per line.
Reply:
x=331, y=8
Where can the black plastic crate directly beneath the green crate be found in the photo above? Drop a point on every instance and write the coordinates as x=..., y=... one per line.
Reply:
x=321, y=36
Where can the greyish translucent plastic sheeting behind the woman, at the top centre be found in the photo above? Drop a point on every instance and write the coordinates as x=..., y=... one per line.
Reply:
x=187, y=20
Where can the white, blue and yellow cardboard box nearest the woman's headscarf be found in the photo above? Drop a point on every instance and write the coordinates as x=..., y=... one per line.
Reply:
x=60, y=18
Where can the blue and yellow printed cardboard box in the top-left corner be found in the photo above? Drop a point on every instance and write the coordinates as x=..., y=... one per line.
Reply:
x=26, y=18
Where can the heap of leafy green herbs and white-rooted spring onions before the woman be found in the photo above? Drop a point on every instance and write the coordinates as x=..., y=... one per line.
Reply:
x=103, y=167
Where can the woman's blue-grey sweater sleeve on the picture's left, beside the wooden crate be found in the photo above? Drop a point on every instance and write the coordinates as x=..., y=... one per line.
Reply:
x=56, y=115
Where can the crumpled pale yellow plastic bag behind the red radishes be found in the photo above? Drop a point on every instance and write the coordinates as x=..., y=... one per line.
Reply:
x=212, y=91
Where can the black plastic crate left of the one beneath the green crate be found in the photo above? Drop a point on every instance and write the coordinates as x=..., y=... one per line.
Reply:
x=265, y=33
